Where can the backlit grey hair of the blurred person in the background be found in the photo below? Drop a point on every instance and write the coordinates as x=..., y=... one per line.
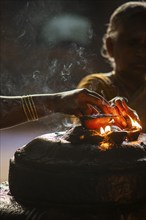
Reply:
x=118, y=18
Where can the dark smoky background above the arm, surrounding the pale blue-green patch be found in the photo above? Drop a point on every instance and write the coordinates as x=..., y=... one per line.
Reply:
x=30, y=64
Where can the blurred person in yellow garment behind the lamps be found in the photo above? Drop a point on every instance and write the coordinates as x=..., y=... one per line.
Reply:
x=124, y=45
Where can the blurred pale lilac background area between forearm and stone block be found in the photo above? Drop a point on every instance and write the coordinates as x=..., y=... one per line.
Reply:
x=13, y=138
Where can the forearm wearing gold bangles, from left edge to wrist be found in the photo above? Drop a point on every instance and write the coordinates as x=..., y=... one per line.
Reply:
x=19, y=109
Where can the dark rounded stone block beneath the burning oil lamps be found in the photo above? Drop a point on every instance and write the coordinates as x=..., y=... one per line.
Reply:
x=78, y=175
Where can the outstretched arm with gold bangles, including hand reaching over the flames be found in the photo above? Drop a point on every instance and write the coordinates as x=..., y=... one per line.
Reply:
x=19, y=109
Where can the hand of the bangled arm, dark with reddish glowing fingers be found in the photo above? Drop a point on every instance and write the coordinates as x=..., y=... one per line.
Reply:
x=81, y=102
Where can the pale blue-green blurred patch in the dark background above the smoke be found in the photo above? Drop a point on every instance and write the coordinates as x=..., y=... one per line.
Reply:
x=66, y=27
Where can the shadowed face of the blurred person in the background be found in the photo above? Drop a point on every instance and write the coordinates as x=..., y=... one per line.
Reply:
x=128, y=49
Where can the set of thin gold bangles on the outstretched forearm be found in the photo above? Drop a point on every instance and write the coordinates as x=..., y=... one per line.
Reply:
x=29, y=108
